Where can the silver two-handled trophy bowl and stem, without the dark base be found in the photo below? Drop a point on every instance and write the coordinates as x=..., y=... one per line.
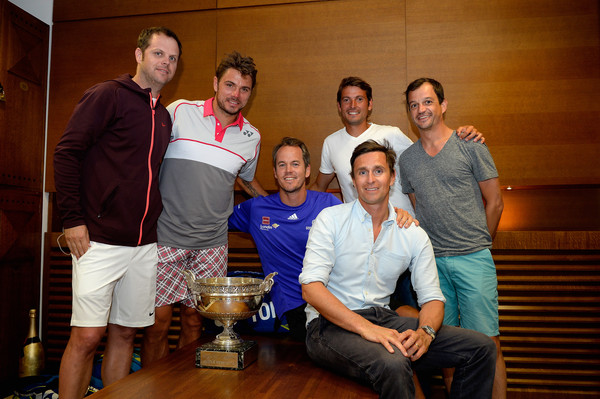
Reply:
x=227, y=300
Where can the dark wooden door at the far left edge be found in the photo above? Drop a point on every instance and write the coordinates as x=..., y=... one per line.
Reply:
x=23, y=71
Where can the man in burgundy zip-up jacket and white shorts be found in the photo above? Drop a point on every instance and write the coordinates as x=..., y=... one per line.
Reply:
x=106, y=172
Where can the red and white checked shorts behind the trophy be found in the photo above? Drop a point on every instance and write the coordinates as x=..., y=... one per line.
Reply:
x=170, y=281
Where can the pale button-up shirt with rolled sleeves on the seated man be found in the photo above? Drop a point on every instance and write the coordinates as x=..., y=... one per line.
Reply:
x=362, y=272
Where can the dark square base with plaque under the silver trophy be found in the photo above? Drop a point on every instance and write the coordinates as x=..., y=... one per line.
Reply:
x=217, y=357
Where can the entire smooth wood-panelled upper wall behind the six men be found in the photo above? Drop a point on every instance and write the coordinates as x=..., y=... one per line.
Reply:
x=518, y=70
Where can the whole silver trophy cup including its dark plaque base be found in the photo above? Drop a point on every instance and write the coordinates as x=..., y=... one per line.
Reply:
x=227, y=300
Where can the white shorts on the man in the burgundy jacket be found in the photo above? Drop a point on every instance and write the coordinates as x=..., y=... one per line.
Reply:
x=114, y=284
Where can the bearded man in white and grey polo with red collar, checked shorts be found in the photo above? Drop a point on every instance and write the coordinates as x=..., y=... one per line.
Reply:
x=211, y=145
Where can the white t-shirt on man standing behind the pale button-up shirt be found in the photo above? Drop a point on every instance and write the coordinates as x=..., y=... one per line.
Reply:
x=337, y=151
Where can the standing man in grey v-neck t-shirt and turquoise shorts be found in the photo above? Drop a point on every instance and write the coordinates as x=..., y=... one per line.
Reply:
x=447, y=181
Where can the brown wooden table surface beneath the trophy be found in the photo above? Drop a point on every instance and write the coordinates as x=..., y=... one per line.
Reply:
x=283, y=370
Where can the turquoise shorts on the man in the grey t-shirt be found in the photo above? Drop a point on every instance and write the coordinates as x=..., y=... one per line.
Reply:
x=470, y=286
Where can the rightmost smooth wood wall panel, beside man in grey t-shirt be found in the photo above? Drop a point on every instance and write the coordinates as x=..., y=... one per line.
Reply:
x=520, y=71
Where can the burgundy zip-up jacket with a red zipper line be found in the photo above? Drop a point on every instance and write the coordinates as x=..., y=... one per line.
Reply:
x=106, y=163
